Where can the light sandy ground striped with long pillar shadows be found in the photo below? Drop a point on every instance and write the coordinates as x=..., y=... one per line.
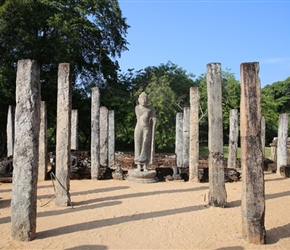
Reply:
x=113, y=214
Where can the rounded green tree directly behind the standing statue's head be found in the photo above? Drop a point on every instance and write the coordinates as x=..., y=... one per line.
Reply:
x=168, y=88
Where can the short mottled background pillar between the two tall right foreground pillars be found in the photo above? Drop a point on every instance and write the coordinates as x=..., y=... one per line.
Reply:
x=233, y=138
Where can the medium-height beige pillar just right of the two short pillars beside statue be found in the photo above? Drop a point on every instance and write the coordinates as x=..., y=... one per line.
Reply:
x=194, y=134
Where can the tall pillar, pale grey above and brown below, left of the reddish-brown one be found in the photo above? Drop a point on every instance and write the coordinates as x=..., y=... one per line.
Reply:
x=217, y=191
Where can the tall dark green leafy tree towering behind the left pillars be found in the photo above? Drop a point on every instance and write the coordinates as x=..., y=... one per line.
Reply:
x=88, y=34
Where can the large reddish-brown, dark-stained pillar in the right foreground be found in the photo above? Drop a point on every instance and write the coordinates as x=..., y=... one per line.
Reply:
x=253, y=190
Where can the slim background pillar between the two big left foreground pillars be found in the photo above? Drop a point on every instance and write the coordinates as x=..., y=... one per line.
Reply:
x=42, y=168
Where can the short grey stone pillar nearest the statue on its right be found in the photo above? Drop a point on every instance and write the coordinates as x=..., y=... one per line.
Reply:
x=179, y=139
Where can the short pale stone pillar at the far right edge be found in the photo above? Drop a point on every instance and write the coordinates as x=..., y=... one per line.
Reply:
x=282, y=152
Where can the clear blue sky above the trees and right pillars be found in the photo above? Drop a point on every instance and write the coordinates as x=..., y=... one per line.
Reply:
x=192, y=34
